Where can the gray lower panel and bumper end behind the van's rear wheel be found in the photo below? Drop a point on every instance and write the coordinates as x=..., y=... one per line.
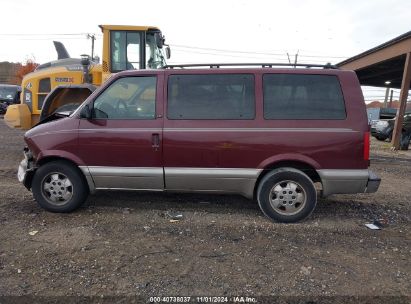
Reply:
x=339, y=181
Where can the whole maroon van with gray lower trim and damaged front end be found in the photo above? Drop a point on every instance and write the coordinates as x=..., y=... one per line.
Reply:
x=266, y=133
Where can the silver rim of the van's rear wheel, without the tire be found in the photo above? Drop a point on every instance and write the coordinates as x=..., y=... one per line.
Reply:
x=287, y=197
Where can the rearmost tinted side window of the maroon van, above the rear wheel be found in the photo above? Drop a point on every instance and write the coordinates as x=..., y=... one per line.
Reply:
x=291, y=96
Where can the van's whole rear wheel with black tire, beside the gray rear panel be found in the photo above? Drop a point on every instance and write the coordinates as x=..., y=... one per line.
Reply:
x=303, y=197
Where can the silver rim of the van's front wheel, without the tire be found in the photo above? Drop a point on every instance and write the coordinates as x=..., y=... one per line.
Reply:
x=57, y=188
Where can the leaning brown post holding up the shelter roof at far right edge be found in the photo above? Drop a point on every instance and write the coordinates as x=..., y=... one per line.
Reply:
x=405, y=86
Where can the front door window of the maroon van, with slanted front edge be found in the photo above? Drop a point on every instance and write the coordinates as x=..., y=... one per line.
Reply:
x=127, y=98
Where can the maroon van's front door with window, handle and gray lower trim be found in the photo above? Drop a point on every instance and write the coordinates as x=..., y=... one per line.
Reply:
x=121, y=143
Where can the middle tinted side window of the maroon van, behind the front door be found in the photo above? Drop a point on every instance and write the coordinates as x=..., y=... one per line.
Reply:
x=223, y=96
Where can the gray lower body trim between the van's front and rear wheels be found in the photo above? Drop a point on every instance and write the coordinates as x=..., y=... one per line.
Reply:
x=223, y=180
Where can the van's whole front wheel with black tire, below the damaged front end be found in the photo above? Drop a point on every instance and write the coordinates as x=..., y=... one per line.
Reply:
x=58, y=186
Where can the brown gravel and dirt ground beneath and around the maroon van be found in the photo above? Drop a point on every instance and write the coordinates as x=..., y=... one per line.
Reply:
x=124, y=243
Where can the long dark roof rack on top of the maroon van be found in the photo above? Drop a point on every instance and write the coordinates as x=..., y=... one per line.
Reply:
x=263, y=65
